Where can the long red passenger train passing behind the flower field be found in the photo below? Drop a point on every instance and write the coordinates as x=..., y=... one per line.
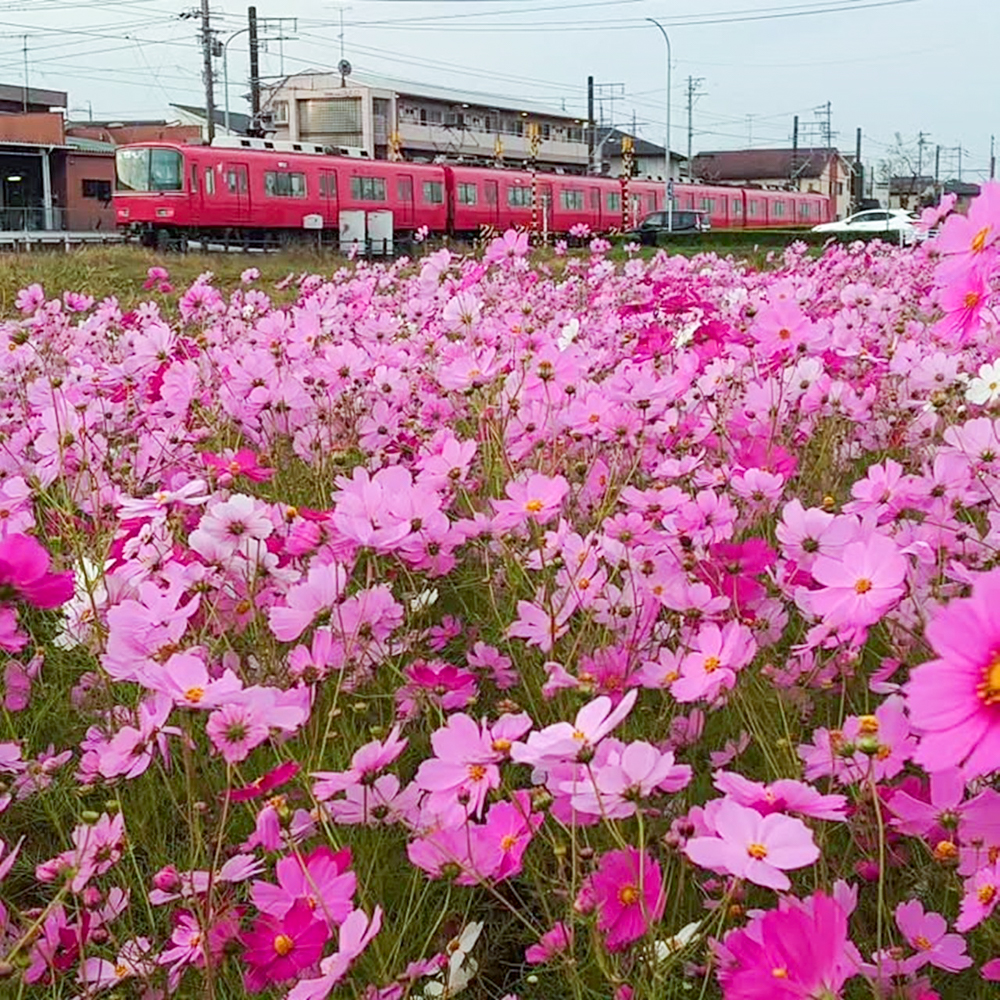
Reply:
x=255, y=192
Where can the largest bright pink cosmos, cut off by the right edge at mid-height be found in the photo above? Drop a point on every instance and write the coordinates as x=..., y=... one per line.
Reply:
x=954, y=701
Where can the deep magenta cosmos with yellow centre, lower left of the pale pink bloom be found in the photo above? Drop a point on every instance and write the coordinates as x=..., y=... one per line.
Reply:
x=627, y=890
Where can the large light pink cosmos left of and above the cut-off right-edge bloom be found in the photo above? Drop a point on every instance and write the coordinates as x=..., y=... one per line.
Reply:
x=859, y=585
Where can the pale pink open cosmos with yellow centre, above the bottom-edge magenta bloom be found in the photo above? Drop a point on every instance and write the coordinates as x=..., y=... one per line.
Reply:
x=757, y=848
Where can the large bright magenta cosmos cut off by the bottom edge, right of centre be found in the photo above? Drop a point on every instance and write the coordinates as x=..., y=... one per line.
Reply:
x=794, y=953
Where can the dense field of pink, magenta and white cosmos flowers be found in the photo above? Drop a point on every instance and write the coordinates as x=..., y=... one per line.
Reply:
x=508, y=626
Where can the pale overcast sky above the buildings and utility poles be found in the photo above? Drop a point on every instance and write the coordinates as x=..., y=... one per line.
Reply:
x=894, y=66
